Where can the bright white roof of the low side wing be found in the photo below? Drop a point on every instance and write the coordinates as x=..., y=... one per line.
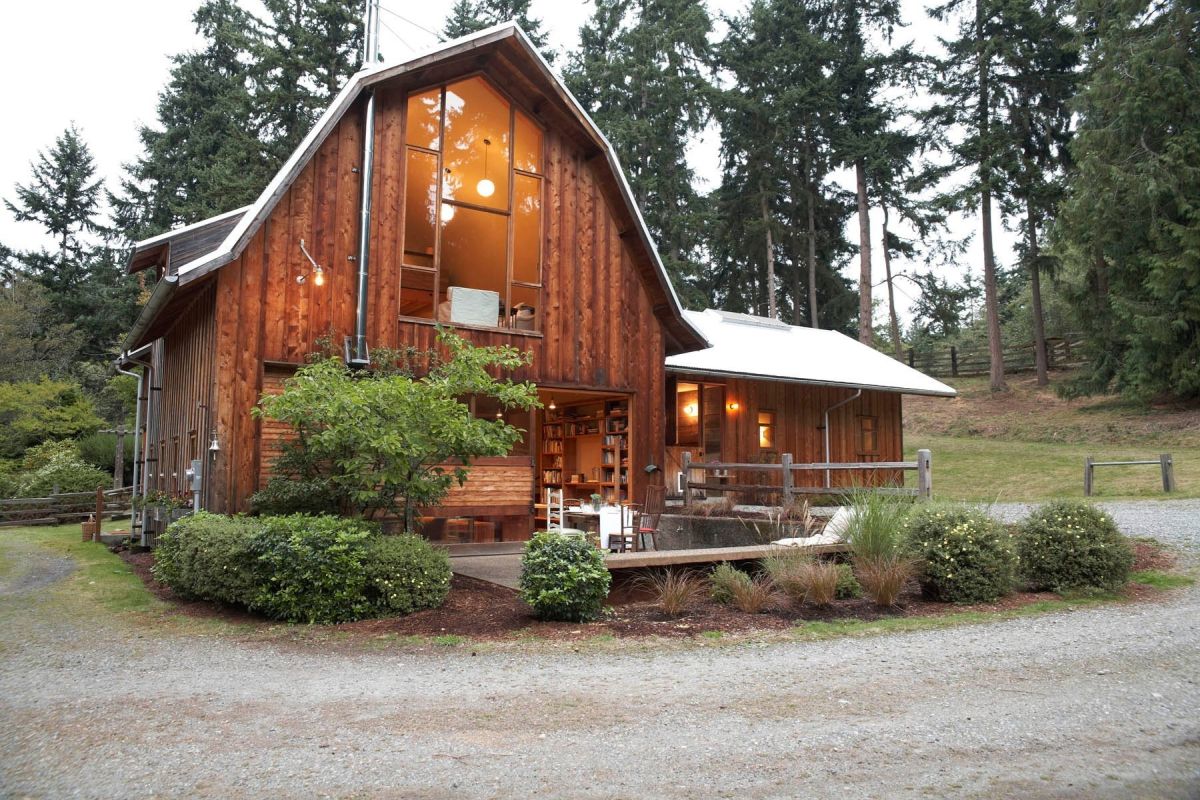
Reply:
x=746, y=346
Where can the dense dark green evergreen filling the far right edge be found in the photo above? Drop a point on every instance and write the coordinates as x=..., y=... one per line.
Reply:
x=1130, y=228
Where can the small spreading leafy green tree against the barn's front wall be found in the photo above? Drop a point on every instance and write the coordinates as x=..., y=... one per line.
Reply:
x=389, y=442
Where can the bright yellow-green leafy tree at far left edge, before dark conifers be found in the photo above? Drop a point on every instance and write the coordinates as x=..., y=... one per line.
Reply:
x=33, y=412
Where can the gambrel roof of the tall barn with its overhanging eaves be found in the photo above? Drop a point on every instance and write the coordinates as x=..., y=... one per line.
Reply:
x=509, y=34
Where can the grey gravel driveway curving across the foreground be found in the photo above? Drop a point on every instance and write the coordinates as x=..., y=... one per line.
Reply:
x=1099, y=703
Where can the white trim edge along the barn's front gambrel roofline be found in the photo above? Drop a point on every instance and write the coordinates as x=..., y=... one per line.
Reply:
x=238, y=238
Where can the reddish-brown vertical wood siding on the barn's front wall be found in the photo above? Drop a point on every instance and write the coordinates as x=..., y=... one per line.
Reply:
x=599, y=324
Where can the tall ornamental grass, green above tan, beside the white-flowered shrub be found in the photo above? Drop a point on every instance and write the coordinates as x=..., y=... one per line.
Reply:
x=875, y=536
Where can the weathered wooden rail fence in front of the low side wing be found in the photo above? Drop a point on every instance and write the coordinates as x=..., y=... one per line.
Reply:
x=787, y=467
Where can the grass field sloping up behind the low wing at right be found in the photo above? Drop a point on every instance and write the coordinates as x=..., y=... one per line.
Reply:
x=1029, y=444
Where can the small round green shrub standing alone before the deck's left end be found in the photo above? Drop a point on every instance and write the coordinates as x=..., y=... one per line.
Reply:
x=563, y=579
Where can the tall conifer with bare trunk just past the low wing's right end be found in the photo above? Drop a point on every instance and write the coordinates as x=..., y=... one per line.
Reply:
x=965, y=82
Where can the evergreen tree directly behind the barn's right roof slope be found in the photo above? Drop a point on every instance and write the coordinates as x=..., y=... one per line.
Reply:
x=643, y=74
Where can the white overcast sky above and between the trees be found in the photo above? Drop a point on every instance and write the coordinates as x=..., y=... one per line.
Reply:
x=101, y=65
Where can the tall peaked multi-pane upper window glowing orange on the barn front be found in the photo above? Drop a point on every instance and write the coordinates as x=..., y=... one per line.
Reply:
x=473, y=200
